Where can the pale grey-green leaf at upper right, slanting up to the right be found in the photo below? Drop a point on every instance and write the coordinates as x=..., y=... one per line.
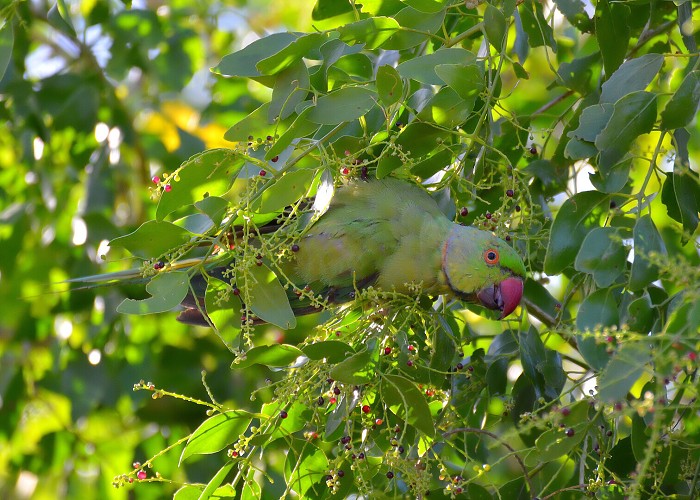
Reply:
x=634, y=75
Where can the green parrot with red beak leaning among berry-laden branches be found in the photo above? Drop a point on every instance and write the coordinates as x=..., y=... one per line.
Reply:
x=390, y=234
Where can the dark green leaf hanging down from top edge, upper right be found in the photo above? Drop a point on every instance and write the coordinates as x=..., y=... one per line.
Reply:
x=613, y=32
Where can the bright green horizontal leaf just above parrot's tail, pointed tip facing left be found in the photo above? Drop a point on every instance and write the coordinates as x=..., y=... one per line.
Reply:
x=152, y=239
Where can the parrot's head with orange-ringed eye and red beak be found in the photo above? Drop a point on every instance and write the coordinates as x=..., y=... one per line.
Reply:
x=480, y=267
